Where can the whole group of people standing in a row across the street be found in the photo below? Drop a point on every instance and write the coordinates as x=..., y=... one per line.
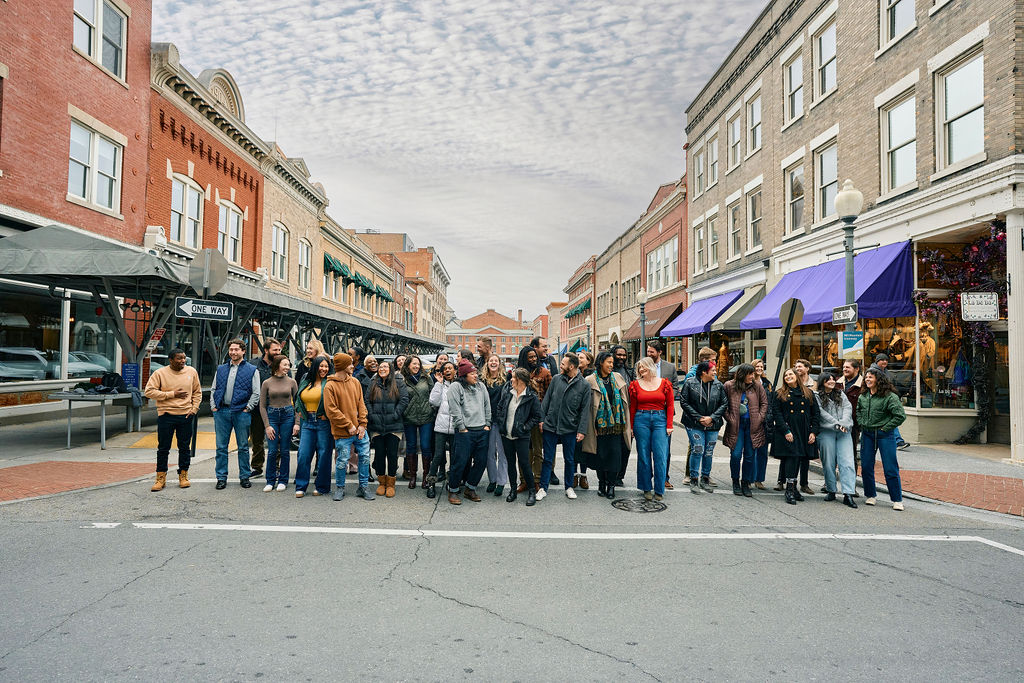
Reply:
x=468, y=415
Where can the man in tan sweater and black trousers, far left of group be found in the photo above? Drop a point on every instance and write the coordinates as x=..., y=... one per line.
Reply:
x=179, y=395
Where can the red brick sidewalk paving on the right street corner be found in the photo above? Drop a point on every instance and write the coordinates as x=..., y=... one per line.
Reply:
x=985, y=492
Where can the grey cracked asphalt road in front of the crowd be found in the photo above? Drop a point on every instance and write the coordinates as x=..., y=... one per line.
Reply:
x=716, y=587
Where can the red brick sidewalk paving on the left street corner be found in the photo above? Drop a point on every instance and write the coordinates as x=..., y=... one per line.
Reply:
x=56, y=478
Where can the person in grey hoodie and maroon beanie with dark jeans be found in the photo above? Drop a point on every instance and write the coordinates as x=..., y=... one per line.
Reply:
x=470, y=405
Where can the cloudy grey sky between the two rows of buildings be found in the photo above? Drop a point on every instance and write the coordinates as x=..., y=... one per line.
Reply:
x=517, y=137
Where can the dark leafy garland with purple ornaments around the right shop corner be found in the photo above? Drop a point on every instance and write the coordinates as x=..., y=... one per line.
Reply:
x=982, y=268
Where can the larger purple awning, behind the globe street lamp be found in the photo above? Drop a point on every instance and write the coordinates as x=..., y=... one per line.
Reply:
x=883, y=286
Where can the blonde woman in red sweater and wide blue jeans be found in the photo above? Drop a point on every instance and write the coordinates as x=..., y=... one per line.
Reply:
x=652, y=402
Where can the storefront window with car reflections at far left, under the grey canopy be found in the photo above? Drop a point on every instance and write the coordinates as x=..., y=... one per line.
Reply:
x=30, y=335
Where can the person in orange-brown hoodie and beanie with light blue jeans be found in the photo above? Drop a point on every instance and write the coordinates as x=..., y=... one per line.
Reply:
x=346, y=409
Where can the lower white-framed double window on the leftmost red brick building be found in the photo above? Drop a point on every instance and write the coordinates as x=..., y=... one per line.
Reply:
x=95, y=168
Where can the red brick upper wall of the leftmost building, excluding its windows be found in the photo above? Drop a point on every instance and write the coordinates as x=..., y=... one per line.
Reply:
x=47, y=82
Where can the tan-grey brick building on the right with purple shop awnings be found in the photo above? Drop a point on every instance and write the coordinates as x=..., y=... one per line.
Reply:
x=919, y=105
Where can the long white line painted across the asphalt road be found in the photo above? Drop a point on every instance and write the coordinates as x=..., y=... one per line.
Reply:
x=562, y=536
